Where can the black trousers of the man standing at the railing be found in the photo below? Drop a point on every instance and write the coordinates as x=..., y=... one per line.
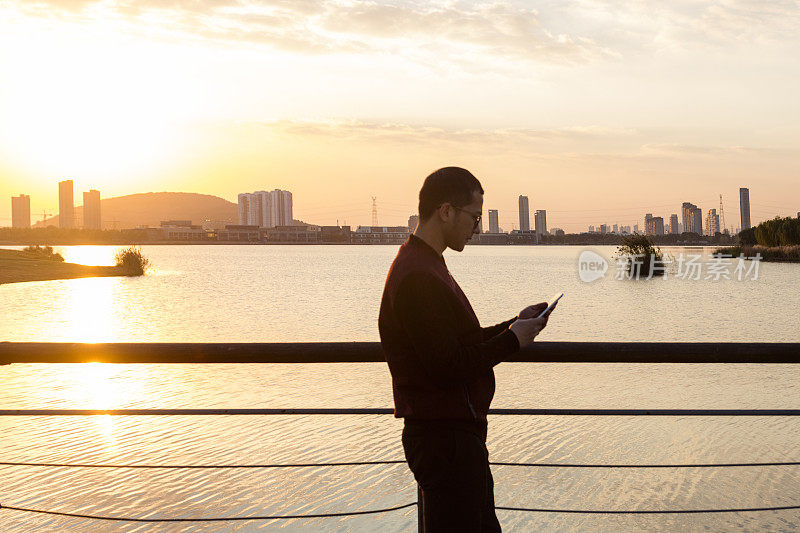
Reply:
x=451, y=466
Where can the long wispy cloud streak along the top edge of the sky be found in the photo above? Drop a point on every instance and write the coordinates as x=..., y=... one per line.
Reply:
x=453, y=31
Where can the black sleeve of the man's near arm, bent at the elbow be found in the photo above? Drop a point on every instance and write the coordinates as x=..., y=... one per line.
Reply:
x=421, y=304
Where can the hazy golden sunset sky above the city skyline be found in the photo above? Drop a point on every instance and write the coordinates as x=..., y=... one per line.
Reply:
x=599, y=111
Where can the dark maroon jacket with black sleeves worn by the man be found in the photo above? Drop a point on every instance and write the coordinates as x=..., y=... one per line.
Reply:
x=440, y=358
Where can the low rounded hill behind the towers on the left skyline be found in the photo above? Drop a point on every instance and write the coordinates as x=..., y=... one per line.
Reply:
x=149, y=209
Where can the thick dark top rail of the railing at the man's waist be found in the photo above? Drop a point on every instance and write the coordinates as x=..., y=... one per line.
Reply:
x=367, y=352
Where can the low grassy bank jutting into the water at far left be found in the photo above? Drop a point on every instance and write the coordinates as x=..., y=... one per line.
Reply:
x=17, y=266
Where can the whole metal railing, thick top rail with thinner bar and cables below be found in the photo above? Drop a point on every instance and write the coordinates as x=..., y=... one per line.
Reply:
x=573, y=352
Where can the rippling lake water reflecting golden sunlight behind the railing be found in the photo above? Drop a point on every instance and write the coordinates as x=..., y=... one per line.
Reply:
x=332, y=293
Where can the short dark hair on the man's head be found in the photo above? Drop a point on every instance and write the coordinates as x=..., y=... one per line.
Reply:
x=453, y=185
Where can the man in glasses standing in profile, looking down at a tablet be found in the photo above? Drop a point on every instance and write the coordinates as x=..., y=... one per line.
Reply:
x=441, y=359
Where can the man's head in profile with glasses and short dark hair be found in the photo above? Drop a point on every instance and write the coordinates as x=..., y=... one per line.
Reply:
x=450, y=204
